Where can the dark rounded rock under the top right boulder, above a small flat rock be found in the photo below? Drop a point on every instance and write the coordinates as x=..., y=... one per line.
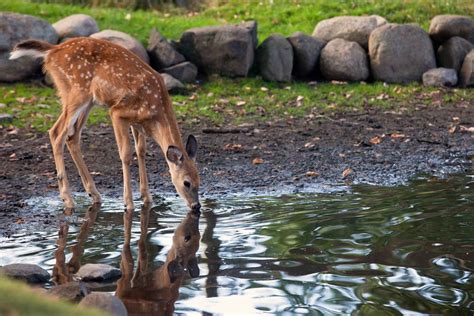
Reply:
x=451, y=53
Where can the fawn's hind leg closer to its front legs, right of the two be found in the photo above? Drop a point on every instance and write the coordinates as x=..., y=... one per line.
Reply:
x=74, y=145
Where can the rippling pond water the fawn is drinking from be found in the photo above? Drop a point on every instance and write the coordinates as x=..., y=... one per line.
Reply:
x=370, y=251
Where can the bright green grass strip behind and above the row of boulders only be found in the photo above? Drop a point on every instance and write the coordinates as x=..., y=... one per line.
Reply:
x=283, y=17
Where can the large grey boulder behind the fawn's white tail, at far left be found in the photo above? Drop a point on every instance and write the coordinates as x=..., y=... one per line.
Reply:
x=15, y=28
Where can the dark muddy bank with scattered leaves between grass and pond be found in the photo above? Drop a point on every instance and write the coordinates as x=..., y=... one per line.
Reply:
x=374, y=146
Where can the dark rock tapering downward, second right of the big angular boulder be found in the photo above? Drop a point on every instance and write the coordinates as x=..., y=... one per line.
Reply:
x=306, y=50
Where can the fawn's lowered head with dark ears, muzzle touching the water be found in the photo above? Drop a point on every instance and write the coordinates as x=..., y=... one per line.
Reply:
x=184, y=173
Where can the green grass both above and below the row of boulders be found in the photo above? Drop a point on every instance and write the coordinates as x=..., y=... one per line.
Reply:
x=221, y=100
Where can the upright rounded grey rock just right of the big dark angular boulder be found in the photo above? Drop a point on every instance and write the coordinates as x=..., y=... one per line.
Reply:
x=275, y=58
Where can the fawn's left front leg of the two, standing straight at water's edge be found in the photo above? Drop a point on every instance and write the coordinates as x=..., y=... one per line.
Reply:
x=122, y=136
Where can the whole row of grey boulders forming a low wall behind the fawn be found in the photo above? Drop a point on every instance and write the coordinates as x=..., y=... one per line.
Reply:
x=344, y=48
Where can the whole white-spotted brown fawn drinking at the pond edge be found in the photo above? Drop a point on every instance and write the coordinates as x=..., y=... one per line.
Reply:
x=87, y=71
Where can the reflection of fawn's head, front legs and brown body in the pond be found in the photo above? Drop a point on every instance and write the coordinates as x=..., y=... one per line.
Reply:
x=155, y=292
